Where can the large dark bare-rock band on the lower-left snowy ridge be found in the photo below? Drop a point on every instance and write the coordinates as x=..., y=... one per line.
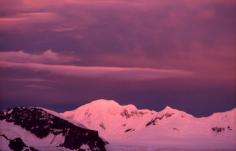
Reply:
x=41, y=123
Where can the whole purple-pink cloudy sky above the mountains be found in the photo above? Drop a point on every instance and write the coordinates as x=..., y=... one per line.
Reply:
x=60, y=54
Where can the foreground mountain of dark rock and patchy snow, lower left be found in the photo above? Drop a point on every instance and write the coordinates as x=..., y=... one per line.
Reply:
x=32, y=129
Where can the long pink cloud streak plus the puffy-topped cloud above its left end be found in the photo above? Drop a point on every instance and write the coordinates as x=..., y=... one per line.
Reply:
x=40, y=62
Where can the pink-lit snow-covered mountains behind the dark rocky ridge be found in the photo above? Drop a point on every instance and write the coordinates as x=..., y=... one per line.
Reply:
x=125, y=125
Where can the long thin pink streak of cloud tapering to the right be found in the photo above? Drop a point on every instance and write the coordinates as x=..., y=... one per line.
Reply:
x=122, y=73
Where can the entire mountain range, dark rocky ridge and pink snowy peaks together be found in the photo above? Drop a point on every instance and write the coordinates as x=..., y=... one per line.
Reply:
x=107, y=125
